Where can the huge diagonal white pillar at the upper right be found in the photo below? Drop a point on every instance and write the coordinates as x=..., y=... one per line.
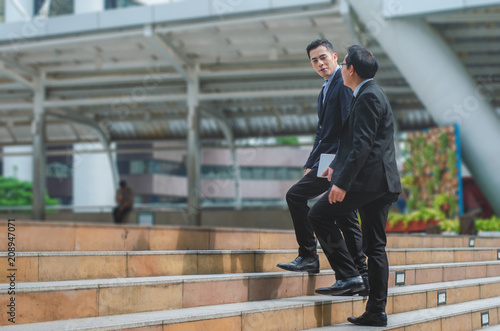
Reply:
x=442, y=83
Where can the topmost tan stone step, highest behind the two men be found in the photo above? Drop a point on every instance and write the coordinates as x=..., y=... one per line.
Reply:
x=74, y=236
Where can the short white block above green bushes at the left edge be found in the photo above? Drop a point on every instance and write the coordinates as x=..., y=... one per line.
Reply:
x=20, y=167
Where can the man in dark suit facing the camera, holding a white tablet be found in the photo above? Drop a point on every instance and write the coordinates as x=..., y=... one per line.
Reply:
x=333, y=108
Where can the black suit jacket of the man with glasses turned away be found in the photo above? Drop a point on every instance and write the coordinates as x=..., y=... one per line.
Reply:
x=366, y=161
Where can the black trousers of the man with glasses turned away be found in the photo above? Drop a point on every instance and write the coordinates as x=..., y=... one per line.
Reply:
x=373, y=208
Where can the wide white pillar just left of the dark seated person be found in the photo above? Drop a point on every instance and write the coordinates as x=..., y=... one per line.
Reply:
x=93, y=183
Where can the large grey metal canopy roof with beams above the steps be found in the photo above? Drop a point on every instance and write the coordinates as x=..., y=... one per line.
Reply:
x=254, y=74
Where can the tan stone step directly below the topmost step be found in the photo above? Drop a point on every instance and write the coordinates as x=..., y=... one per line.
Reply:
x=52, y=266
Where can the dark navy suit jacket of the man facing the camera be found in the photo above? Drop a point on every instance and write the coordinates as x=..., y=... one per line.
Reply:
x=331, y=117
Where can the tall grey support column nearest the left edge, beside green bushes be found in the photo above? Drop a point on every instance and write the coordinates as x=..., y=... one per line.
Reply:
x=38, y=131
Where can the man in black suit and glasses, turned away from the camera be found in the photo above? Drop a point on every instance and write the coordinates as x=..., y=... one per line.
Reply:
x=363, y=176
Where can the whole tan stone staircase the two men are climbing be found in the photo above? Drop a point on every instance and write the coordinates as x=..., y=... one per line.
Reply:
x=75, y=276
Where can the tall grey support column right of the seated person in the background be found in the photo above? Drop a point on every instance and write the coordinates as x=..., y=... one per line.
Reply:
x=193, y=153
